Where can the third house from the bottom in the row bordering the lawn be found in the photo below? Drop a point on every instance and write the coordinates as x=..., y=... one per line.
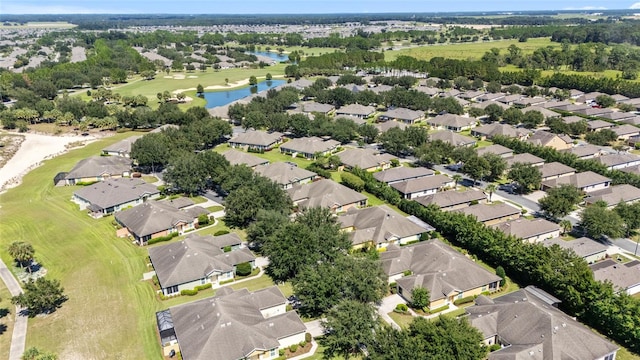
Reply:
x=154, y=219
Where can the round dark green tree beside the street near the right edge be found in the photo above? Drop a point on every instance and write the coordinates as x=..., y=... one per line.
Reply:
x=598, y=221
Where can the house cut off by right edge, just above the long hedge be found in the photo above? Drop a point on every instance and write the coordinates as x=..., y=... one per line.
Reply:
x=624, y=277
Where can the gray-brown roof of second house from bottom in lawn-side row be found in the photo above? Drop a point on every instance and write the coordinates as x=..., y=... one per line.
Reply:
x=194, y=258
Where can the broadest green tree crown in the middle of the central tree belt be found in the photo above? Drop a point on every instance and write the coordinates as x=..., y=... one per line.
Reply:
x=313, y=237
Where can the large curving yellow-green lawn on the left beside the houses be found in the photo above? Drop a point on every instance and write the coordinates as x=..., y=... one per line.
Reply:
x=110, y=312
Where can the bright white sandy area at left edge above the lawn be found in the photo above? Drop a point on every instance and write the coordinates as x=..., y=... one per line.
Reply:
x=34, y=149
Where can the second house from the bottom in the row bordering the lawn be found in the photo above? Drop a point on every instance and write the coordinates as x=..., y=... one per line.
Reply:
x=198, y=260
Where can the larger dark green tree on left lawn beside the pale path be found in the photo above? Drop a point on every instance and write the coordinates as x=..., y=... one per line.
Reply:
x=40, y=296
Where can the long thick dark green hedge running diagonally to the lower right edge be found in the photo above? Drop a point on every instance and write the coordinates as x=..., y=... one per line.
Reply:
x=558, y=271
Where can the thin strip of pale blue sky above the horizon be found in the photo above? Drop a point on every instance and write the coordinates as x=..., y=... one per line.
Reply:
x=296, y=7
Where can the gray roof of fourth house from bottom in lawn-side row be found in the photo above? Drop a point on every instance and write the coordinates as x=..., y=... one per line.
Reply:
x=112, y=192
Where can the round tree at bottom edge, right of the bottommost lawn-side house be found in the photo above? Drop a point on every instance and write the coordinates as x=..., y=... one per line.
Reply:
x=348, y=325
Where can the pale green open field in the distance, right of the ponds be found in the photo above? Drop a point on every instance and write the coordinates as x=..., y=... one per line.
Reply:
x=468, y=50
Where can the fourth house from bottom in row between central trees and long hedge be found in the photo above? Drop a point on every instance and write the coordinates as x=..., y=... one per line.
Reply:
x=328, y=194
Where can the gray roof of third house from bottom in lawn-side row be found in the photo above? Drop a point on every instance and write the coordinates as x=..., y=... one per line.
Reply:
x=155, y=216
